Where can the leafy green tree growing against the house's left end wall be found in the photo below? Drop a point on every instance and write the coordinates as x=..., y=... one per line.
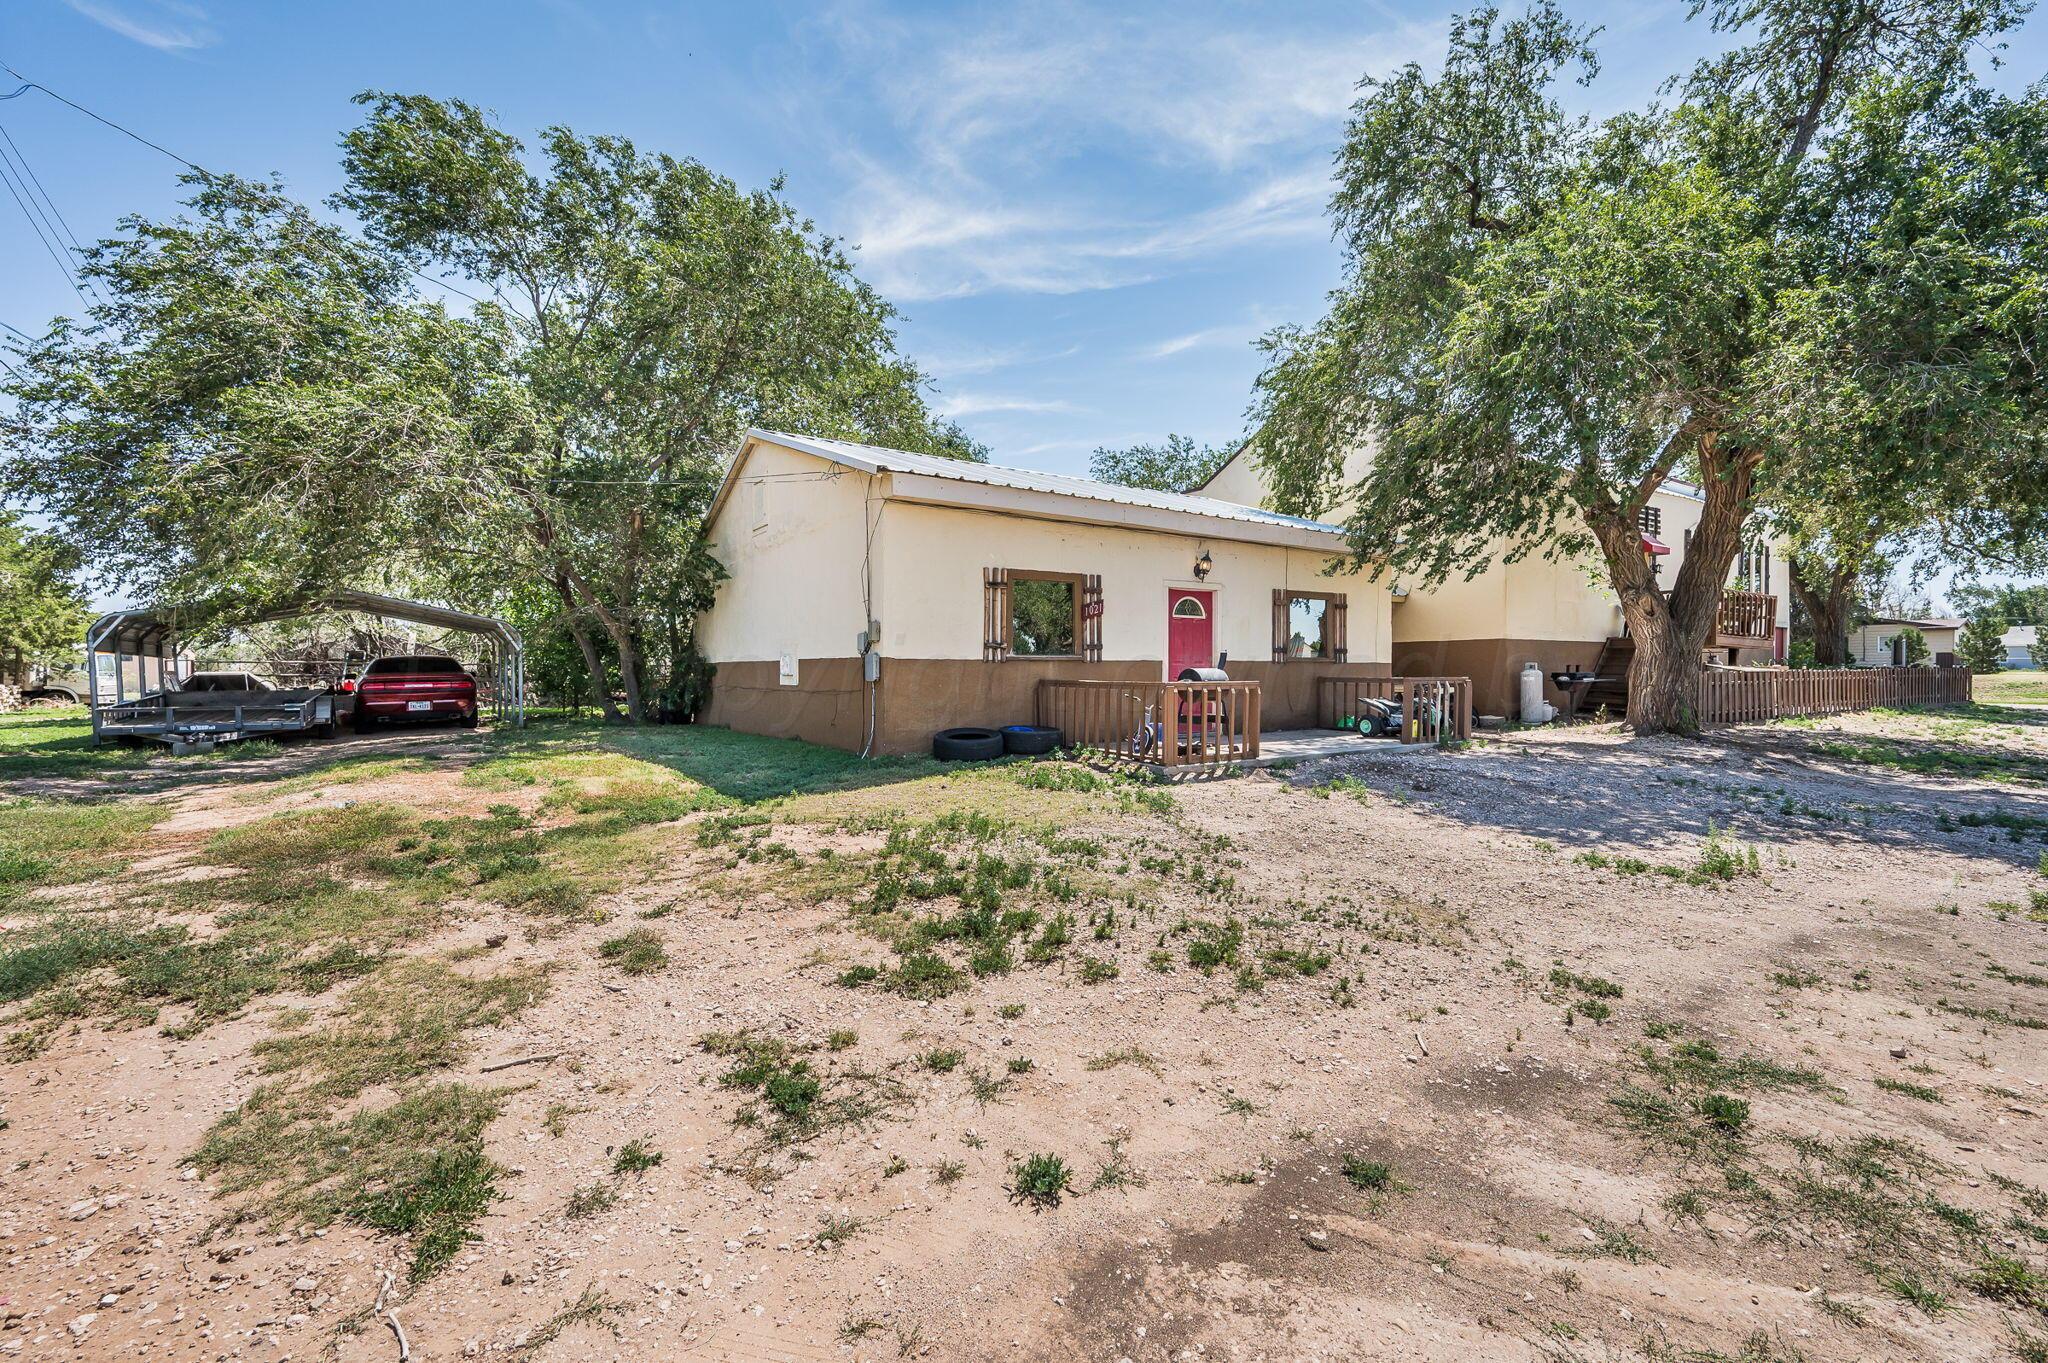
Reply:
x=652, y=312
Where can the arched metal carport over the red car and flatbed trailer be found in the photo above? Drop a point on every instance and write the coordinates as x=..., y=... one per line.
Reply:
x=148, y=633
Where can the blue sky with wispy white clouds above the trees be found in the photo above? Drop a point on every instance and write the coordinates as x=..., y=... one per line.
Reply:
x=1086, y=214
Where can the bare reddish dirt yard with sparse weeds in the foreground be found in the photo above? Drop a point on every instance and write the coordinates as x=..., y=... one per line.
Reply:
x=1463, y=1084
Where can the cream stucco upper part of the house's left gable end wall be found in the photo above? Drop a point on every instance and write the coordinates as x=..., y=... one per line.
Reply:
x=792, y=541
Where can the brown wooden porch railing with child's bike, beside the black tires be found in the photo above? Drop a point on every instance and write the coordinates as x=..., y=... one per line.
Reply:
x=1166, y=723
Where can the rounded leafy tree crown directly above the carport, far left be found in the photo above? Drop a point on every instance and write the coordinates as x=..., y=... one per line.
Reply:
x=257, y=410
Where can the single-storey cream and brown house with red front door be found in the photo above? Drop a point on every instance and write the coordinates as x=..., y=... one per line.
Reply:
x=982, y=580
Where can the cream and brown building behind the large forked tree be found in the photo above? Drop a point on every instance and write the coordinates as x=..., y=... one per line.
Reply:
x=1558, y=613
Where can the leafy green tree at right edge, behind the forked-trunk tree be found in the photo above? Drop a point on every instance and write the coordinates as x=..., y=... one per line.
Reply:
x=1906, y=394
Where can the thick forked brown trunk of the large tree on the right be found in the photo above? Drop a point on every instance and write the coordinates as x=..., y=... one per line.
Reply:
x=1672, y=631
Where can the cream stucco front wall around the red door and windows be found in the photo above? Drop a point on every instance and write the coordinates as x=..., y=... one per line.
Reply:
x=935, y=558
